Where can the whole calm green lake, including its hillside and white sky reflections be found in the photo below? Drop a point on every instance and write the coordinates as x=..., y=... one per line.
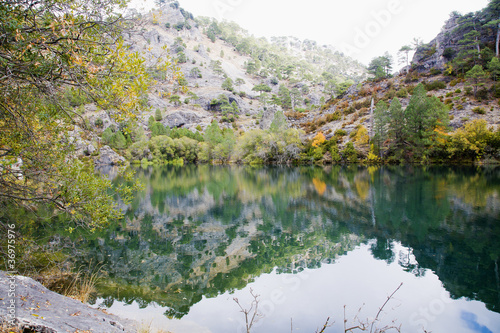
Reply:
x=310, y=243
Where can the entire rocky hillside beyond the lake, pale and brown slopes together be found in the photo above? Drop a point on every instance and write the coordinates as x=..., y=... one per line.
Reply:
x=242, y=82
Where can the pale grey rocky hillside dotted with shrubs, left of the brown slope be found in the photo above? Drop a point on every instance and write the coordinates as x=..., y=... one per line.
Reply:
x=222, y=64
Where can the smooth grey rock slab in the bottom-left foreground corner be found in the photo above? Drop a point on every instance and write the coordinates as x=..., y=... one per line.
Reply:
x=34, y=308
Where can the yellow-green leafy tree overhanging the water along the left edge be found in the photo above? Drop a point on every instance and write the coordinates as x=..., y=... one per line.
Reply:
x=50, y=49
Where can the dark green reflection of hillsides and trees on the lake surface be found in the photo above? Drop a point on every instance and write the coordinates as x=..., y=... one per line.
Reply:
x=201, y=231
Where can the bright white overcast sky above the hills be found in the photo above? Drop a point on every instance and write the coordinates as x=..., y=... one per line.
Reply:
x=362, y=29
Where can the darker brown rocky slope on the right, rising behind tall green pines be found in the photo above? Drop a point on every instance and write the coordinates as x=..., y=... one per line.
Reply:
x=459, y=67
